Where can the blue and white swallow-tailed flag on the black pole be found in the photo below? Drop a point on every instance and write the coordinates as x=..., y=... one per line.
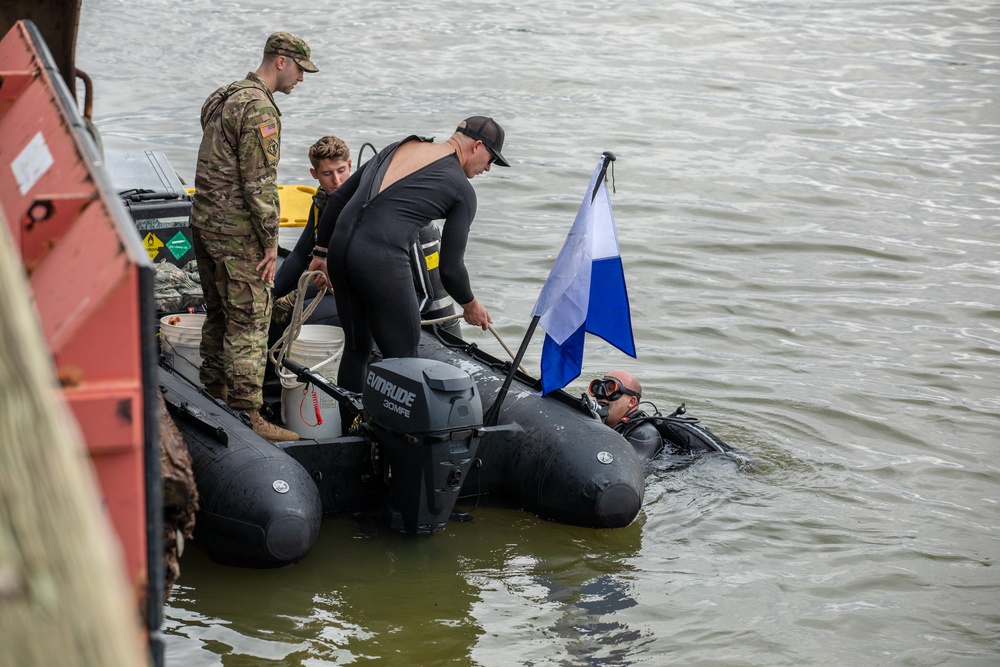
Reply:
x=585, y=291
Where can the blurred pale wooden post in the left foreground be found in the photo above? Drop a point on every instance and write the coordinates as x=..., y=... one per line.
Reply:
x=63, y=596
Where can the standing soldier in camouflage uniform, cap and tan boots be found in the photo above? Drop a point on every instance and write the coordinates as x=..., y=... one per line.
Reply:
x=234, y=221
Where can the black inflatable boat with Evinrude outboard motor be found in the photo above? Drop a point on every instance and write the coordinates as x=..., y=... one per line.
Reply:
x=418, y=446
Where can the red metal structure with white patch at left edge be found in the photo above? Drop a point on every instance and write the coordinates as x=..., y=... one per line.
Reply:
x=92, y=284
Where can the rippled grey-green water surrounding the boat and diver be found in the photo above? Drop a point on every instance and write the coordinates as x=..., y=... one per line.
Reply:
x=807, y=199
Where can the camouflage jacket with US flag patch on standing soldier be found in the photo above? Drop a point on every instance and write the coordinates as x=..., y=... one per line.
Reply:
x=236, y=190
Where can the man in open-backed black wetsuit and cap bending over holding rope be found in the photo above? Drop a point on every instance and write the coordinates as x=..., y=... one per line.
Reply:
x=371, y=221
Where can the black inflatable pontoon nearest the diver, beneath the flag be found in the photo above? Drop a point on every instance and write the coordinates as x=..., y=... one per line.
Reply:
x=563, y=464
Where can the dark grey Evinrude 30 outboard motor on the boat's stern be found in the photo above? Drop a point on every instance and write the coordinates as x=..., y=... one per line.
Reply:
x=427, y=416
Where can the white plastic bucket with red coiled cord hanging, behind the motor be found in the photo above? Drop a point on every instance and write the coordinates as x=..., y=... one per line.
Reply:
x=305, y=409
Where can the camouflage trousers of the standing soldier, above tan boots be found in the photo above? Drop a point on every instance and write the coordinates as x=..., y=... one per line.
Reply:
x=234, y=338
